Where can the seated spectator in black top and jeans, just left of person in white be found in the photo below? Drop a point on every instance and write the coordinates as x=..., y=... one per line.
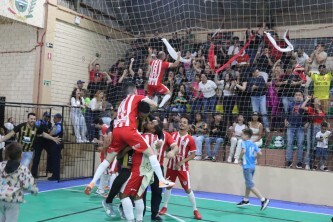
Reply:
x=216, y=135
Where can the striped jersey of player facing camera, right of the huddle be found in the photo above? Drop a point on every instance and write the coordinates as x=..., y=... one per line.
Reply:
x=186, y=146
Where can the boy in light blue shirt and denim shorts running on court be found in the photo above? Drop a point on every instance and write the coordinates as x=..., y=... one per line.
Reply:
x=249, y=152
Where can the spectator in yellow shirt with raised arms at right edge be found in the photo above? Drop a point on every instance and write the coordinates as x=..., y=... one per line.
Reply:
x=322, y=85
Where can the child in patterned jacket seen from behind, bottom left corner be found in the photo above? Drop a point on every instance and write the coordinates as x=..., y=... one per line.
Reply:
x=14, y=179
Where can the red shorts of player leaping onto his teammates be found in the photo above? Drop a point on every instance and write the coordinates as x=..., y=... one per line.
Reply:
x=127, y=136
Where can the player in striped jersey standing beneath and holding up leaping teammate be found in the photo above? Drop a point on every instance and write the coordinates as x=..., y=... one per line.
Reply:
x=140, y=178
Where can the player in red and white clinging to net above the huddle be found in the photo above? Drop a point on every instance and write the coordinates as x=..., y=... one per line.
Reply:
x=157, y=70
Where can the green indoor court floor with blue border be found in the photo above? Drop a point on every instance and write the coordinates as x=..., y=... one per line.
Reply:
x=65, y=202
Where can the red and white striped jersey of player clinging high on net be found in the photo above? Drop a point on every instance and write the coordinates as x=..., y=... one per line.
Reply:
x=158, y=68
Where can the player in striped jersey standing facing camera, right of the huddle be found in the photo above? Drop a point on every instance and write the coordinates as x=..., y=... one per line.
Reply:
x=178, y=166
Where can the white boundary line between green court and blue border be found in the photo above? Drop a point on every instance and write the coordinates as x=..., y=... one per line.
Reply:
x=203, y=198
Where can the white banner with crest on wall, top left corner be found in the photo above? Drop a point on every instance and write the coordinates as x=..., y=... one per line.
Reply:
x=27, y=11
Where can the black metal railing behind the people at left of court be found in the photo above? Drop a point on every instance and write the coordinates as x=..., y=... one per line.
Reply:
x=77, y=159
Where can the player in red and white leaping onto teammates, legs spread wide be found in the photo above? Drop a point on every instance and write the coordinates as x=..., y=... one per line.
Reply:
x=125, y=133
